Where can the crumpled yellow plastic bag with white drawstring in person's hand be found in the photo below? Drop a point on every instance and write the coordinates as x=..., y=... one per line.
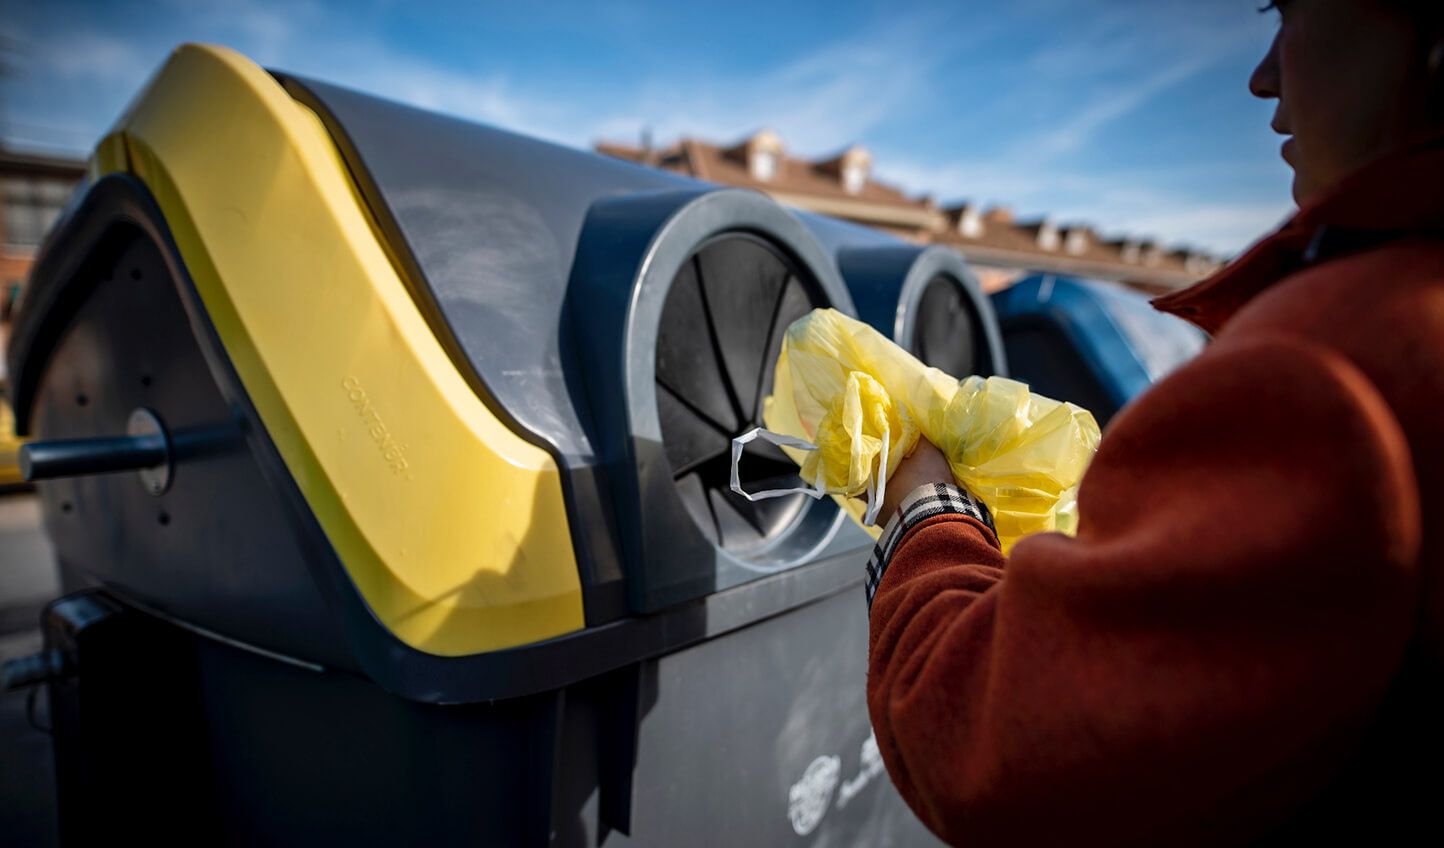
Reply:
x=848, y=405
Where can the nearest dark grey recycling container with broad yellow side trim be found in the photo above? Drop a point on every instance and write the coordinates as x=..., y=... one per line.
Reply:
x=295, y=358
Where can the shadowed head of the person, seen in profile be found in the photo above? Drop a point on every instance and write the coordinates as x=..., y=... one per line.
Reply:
x=1352, y=79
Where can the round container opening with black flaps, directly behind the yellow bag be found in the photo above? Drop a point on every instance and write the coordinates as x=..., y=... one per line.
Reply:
x=721, y=333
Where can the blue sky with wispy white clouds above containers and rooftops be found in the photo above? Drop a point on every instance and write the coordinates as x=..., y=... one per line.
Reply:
x=1130, y=115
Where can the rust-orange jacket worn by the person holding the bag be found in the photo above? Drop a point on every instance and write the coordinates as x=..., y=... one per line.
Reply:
x=1245, y=638
